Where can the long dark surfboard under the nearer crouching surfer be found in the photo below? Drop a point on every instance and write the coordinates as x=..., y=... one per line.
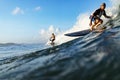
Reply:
x=83, y=33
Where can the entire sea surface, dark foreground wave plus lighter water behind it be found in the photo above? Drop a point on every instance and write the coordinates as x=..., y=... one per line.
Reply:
x=95, y=56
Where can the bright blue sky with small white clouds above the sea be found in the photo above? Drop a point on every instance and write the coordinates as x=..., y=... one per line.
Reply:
x=22, y=20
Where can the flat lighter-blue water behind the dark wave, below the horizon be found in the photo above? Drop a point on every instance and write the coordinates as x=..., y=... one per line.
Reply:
x=13, y=49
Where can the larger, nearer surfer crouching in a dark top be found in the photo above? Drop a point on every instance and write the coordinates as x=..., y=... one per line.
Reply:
x=96, y=17
